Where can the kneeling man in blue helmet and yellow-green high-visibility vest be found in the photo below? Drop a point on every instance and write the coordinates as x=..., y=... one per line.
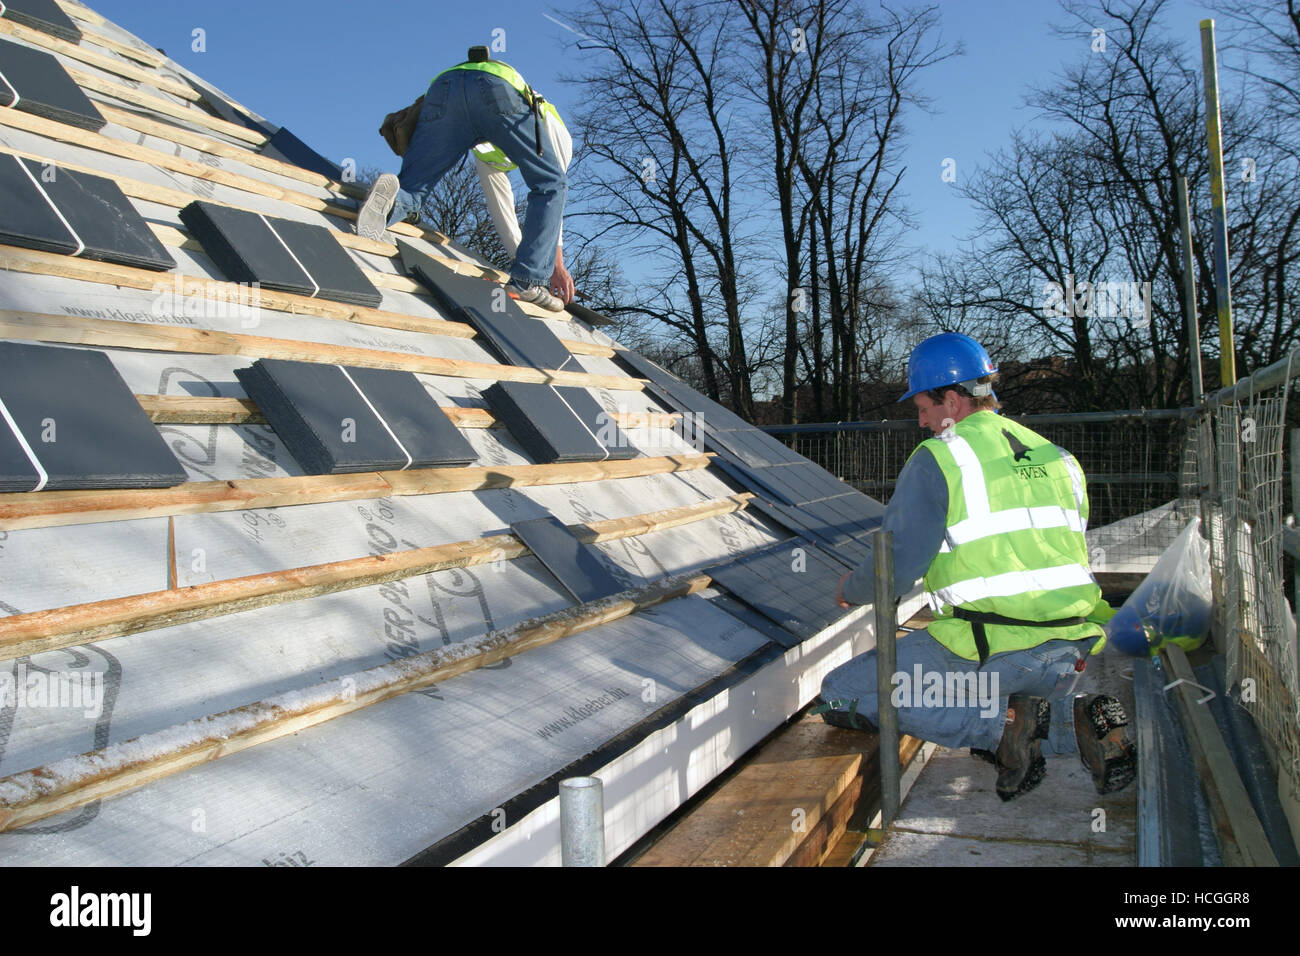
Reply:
x=993, y=516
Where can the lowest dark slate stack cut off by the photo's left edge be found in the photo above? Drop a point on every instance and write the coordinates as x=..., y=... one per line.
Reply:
x=70, y=422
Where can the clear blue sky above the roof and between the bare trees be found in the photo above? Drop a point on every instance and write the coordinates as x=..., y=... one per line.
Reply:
x=330, y=71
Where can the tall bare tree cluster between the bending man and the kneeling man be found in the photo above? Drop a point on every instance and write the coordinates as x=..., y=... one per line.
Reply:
x=705, y=116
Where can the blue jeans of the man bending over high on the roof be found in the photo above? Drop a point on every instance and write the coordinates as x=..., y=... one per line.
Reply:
x=463, y=109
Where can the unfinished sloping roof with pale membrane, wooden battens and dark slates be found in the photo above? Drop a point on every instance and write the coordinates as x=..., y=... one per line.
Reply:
x=274, y=657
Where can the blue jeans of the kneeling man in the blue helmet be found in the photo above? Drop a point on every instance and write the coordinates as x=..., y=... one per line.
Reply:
x=956, y=703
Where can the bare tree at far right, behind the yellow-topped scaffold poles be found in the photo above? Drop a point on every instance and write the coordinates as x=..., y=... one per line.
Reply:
x=1086, y=207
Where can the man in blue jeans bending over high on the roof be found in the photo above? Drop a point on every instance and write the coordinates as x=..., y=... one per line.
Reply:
x=486, y=106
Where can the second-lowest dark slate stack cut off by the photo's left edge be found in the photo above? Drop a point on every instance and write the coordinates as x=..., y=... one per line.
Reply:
x=57, y=210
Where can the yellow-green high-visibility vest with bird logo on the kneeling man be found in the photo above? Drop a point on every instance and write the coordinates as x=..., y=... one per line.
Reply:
x=1015, y=538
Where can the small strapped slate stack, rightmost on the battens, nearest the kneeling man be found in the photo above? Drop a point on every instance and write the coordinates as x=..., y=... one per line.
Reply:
x=558, y=423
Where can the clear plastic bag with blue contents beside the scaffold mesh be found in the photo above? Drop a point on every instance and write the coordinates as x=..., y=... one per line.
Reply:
x=1173, y=604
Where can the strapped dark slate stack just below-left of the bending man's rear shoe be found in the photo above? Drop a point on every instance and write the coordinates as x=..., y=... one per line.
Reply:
x=279, y=254
